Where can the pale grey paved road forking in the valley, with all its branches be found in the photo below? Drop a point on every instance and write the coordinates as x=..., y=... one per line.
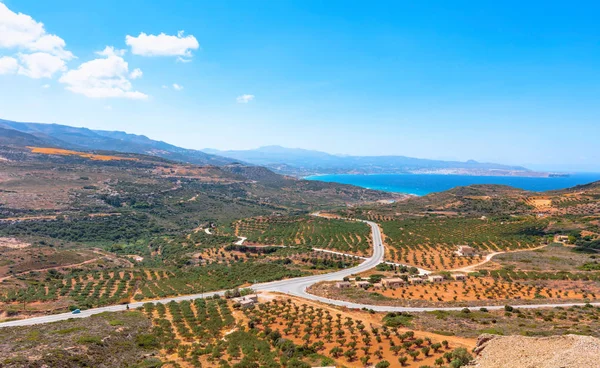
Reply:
x=296, y=286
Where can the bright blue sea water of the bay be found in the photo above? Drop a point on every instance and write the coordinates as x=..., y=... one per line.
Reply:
x=422, y=184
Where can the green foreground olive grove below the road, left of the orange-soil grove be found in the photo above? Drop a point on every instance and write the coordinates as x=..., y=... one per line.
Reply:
x=210, y=333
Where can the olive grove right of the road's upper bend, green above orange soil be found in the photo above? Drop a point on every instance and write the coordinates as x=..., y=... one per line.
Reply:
x=431, y=243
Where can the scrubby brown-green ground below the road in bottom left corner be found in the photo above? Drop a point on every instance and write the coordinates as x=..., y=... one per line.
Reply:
x=85, y=342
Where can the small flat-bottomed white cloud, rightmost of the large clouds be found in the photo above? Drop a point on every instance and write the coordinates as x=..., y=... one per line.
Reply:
x=162, y=45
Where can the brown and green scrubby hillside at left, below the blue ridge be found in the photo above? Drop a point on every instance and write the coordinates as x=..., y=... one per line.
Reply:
x=48, y=180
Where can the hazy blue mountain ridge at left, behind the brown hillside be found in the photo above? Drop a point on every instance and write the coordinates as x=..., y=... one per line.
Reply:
x=63, y=136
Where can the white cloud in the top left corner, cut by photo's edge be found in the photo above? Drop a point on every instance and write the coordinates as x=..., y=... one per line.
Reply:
x=22, y=32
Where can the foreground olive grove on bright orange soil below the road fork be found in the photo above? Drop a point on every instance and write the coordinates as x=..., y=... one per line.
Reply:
x=349, y=341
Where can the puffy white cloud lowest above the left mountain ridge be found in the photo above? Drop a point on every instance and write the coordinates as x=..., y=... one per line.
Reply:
x=102, y=78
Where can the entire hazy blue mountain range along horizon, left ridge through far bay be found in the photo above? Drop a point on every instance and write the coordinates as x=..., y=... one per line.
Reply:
x=288, y=161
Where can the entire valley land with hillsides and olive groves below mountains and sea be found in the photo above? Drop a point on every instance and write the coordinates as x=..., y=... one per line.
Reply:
x=84, y=229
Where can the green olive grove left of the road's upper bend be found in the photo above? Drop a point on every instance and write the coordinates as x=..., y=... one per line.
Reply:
x=339, y=235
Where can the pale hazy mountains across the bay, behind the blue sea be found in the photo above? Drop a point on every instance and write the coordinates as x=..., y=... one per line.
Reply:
x=301, y=162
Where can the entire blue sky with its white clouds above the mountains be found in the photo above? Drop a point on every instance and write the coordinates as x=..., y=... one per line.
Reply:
x=510, y=82
